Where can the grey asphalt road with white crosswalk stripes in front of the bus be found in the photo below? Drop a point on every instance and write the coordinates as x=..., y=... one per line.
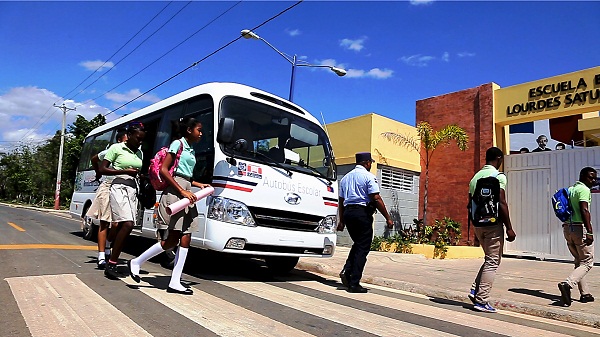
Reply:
x=50, y=287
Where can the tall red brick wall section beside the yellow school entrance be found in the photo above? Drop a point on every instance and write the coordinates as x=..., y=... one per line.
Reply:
x=450, y=169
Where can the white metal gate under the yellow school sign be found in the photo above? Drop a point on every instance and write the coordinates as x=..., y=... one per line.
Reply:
x=532, y=179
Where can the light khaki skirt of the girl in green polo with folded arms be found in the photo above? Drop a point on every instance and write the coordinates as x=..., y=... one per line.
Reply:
x=123, y=199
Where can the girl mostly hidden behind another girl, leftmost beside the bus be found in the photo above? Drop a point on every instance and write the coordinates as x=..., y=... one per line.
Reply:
x=100, y=208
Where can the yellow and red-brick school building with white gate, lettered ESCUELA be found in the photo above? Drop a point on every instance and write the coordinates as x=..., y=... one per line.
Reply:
x=570, y=102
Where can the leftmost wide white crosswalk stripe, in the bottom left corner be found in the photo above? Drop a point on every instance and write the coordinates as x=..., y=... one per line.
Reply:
x=55, y=305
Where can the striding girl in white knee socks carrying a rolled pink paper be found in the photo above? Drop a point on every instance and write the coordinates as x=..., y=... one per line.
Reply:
x=180, y=225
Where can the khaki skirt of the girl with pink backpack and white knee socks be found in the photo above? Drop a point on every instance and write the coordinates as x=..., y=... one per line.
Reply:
x=185, y=220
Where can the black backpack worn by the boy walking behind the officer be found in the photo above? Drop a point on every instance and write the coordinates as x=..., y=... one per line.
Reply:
x=485, y=201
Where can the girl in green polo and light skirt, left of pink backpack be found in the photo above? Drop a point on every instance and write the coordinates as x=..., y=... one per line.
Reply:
x=123, y=161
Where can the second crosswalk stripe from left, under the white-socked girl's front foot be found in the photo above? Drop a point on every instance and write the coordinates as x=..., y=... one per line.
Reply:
x=215, y=314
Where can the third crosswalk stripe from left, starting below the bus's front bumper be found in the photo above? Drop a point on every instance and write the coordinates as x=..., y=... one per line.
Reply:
x=358, y=319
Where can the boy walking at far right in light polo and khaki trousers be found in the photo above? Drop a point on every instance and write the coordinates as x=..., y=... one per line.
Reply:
x=579, y=235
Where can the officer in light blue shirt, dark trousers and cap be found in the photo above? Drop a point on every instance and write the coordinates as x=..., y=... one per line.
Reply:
x=358, y=199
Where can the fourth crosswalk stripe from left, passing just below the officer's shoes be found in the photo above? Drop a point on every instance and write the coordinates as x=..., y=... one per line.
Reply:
x=464, y=319
